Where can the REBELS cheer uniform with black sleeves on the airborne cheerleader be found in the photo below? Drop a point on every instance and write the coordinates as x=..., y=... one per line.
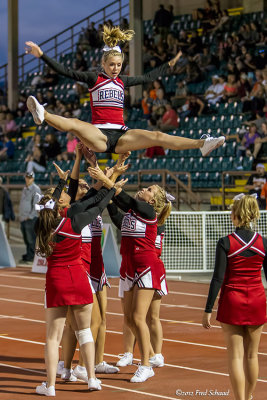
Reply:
x=107, y=96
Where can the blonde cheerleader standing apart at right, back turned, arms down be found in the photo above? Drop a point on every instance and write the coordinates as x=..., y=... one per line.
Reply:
x=242, y=304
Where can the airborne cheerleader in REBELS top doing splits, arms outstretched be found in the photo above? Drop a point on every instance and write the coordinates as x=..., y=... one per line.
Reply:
x=107, y=132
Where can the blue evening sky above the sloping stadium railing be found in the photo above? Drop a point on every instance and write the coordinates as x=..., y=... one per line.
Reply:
x=39, y=19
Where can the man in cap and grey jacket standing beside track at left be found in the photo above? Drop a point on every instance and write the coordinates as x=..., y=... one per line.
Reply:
x=28, y=216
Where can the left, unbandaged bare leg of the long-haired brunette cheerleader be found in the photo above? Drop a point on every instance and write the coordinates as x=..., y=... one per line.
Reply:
x=55, y=321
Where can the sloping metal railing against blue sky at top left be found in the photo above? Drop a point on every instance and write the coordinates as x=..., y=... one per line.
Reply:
x=65, y=41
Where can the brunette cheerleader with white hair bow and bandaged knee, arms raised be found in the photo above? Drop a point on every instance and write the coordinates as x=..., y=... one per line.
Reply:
x=67, y=284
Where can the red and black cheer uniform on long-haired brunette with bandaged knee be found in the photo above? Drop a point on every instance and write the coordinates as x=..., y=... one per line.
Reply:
x=66, y=278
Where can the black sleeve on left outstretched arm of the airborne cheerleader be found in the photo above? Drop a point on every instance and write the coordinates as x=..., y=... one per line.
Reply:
x=88, y=77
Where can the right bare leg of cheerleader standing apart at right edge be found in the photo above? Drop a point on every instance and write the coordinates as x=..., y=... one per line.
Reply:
x=251, y=363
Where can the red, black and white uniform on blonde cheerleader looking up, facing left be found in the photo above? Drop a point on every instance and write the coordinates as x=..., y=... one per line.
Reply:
x=138, y=227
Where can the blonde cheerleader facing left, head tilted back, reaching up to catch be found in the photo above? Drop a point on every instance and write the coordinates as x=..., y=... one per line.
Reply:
x=143, y=269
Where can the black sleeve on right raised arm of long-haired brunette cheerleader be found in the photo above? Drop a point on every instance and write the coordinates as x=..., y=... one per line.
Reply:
x=79, y=221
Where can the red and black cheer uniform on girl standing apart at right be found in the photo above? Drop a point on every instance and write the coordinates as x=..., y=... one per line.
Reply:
x=239, y=259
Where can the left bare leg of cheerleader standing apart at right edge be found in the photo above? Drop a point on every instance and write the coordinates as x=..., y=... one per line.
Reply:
x=234, y=337
